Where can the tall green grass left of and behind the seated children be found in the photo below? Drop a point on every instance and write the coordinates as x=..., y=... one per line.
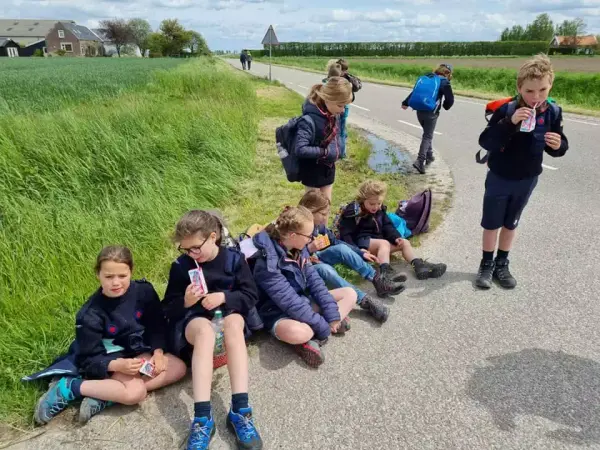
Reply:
x=120, y=170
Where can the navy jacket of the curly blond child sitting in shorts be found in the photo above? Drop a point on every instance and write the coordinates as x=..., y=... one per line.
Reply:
x=357, y=227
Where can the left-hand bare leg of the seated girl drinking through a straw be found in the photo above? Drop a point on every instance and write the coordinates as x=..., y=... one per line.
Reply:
x=200, y=334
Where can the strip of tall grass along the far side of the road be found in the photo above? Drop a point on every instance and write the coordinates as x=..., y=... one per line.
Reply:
x=575, y=89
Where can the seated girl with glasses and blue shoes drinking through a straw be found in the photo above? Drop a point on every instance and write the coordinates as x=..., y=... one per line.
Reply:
x=189, y=311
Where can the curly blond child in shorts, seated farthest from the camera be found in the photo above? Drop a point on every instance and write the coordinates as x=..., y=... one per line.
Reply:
x=365, y=223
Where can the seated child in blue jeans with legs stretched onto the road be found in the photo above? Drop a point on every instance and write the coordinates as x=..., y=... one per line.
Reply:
x=328, y=251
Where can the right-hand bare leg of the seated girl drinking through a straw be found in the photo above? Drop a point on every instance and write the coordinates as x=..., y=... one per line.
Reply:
x=237, y=354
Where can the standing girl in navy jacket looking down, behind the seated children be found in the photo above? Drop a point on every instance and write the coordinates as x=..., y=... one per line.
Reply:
x=320, y=148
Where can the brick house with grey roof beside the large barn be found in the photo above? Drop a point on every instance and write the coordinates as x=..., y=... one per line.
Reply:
x=75, y=40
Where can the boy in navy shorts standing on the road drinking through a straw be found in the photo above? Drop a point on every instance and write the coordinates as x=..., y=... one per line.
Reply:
x=515, y=162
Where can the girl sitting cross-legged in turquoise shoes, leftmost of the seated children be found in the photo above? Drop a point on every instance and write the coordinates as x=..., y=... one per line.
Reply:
x=119, y=327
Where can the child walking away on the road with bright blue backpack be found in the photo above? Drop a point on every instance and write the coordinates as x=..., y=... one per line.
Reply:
x=427, y=114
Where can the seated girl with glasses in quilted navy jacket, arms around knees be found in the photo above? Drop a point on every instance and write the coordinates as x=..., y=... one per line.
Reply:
x=295, y=304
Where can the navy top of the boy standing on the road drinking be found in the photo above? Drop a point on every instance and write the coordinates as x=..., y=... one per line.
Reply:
x=516, y=155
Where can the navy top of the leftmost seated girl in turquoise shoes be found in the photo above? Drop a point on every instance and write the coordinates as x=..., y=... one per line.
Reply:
x=110, y=328
